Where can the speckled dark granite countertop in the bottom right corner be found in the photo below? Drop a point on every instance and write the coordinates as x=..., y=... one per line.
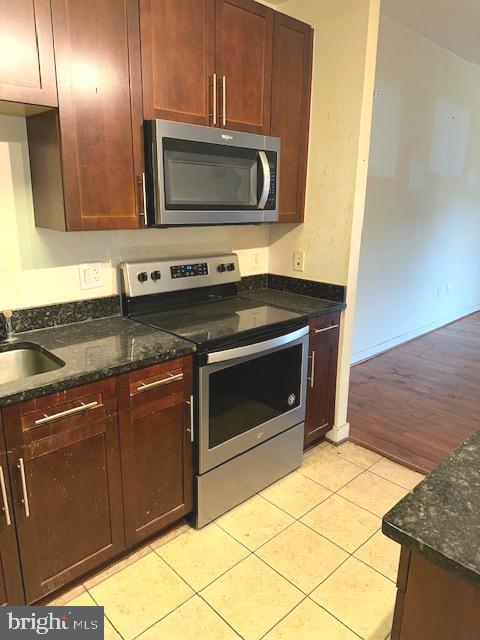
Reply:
x=440, y=518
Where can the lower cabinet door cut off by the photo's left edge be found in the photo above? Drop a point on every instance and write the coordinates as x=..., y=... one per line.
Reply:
x=11, y=589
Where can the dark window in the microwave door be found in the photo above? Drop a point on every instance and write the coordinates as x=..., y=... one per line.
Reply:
x=202, y=176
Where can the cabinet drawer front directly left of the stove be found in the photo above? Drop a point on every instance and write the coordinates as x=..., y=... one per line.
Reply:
x=143, y=386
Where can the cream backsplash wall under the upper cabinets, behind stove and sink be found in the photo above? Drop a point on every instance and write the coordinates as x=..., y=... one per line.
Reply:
x=38, y=266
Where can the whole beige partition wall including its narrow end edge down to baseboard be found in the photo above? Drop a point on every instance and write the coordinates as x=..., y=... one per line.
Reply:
x=346, y=33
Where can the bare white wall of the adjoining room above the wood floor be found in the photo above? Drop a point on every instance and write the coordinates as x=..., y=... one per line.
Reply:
x=422, y=221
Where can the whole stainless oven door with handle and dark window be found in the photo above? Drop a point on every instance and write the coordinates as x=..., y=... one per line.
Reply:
x=249, y=394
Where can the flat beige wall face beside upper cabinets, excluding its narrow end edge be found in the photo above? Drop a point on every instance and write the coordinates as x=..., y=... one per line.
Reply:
x=337, y=94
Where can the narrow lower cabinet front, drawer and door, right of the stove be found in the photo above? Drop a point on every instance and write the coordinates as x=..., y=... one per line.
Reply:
x=324, y=335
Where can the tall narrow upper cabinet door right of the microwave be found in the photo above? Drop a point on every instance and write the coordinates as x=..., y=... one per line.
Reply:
x=291, y=94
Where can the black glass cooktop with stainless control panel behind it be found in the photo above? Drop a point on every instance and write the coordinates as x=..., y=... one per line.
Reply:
x=197, y=299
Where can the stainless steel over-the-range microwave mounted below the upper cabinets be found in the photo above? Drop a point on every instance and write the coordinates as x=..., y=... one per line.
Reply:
x=197, y=175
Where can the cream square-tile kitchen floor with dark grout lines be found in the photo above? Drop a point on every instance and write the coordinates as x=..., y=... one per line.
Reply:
x=303, y=560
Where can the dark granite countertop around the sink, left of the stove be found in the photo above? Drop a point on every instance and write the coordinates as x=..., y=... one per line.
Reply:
x=92, y=350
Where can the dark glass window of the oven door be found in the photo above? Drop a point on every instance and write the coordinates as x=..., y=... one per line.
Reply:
x=248, y=394
